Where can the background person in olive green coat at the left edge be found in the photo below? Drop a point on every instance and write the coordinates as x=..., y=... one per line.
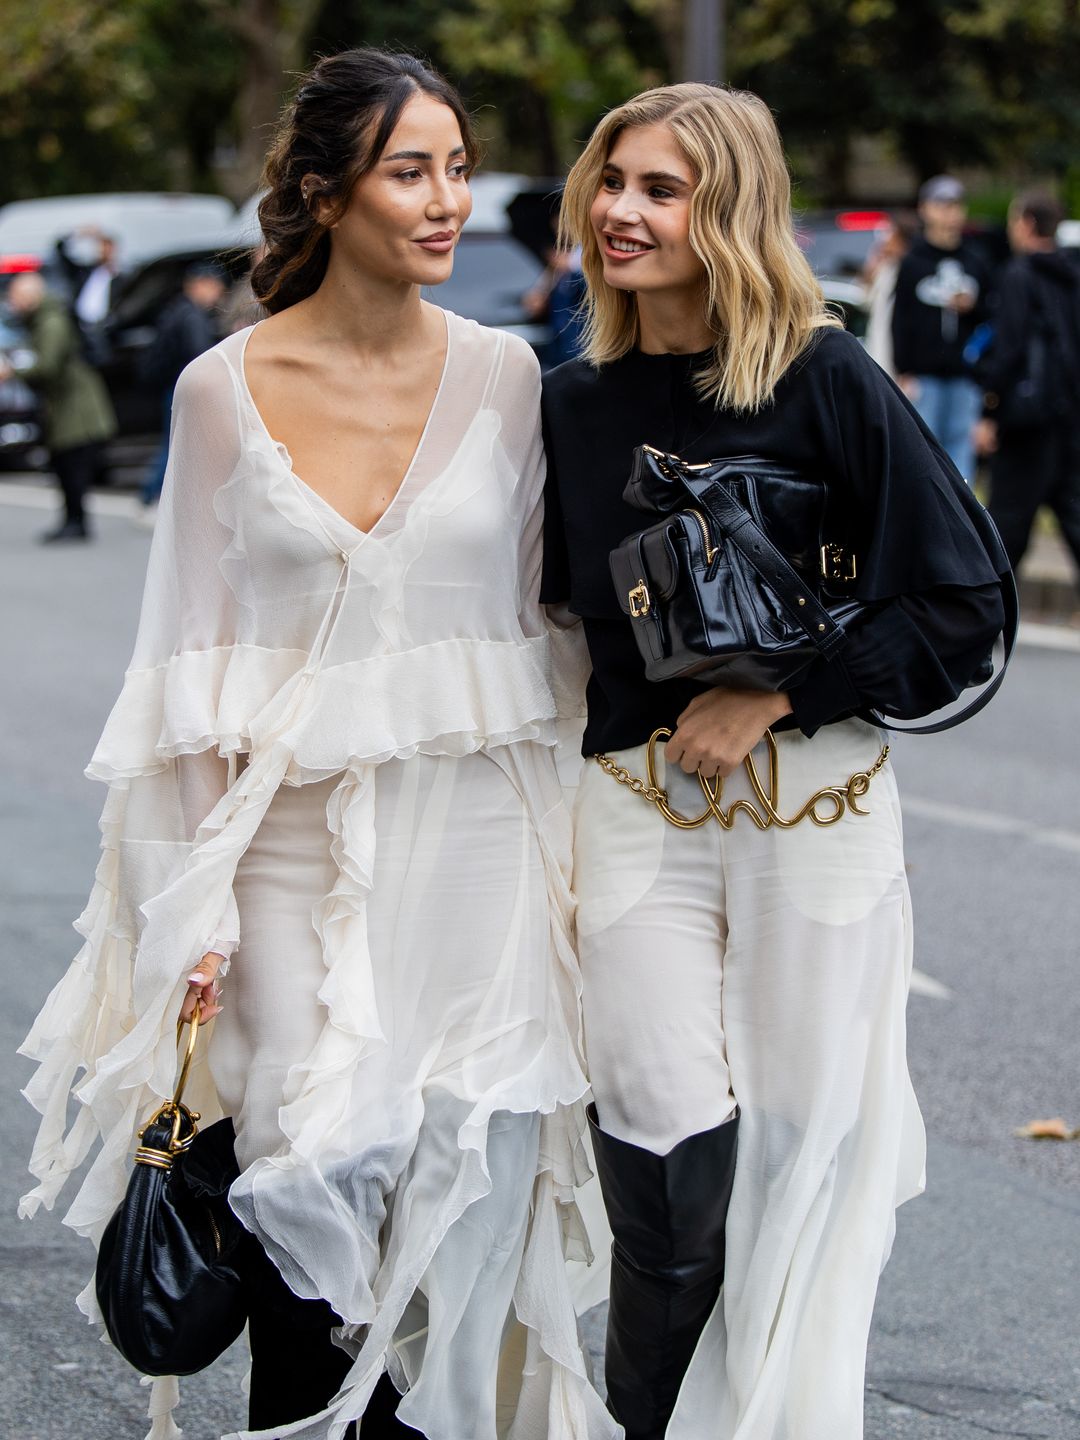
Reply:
x=77, y=411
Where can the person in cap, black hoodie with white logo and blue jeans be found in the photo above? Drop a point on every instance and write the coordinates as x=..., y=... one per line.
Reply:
x=941, y=297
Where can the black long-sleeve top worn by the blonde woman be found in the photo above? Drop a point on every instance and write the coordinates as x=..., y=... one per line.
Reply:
x=930, y=562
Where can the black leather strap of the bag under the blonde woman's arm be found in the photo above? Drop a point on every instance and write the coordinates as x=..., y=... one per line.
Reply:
x=739, y=528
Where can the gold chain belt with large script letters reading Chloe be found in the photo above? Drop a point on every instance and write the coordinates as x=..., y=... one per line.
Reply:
x=840, y=798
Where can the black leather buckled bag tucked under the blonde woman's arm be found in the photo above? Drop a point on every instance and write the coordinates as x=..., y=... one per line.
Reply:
x=748, y=578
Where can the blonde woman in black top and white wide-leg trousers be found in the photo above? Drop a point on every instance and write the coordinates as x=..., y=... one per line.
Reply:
x=745, y=987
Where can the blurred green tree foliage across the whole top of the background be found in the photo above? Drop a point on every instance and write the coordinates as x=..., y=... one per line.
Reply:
x=155, y=94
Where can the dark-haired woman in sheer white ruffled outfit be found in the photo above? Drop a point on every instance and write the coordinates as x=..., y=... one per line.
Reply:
x=333, y=757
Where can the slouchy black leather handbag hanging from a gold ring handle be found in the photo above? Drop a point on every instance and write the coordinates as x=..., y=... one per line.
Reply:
x=171, y=1266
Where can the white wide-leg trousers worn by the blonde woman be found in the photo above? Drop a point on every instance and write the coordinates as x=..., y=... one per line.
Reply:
x=767, y=970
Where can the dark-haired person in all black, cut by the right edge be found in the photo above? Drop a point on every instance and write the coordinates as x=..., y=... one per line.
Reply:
x=1032, y=423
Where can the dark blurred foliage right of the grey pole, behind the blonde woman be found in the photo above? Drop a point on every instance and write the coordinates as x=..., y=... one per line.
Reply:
x=947, y=81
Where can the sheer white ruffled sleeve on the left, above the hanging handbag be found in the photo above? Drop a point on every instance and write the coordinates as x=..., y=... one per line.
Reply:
x=162, y=793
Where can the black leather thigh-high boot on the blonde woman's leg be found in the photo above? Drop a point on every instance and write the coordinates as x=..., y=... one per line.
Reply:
x=667, y=1215
